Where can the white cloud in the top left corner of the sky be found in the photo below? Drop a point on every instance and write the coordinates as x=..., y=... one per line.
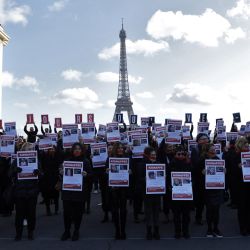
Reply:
x=10, y=12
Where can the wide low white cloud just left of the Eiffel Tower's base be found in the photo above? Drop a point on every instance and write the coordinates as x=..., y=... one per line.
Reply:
x=77, y=97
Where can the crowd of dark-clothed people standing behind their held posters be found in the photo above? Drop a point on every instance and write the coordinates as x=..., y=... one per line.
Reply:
x=21, y=195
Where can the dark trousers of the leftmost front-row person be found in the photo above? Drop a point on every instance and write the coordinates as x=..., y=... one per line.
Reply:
x=25, y=209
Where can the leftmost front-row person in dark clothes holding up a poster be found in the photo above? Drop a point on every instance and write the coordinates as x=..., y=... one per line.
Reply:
x=25, y=195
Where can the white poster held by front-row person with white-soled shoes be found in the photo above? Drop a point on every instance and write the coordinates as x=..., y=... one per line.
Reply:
x=215, y=174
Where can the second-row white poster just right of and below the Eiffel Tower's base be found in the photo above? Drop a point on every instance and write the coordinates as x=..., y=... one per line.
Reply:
x=139, y=143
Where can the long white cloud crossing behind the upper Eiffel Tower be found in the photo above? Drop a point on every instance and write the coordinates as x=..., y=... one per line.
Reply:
x=139, y=47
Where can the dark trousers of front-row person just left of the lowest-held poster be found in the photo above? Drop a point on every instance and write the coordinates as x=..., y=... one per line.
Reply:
x=152, y=210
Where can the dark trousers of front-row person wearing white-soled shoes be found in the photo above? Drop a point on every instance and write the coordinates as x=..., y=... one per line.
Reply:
x=212, y=216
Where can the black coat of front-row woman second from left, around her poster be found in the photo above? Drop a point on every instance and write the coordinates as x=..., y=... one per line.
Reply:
x=80, y=196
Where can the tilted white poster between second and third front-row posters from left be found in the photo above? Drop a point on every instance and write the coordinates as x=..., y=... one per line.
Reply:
x=99, y=154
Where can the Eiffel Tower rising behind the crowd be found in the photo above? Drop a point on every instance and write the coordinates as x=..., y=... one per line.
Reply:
x=123, y=102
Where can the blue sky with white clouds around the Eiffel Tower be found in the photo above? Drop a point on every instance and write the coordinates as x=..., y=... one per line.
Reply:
x=183, y=56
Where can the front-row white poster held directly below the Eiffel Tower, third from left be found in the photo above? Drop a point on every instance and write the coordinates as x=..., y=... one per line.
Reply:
x=119, y=172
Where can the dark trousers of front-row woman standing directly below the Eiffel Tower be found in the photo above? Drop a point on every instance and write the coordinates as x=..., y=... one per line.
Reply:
x=119, y=209
